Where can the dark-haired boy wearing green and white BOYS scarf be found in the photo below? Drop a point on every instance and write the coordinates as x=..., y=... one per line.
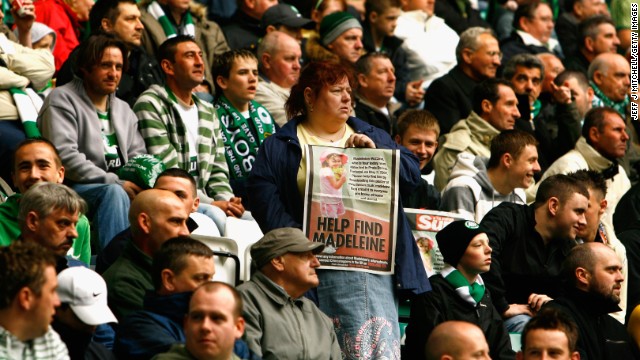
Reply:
x=244, y=123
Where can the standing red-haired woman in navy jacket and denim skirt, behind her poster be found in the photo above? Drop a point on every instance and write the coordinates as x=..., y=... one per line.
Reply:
x=363, y=306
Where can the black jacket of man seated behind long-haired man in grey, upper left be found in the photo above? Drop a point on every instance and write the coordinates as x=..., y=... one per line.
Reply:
x=143, y=71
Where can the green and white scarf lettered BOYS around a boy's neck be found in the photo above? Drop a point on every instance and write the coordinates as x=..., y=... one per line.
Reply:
x=241, y=137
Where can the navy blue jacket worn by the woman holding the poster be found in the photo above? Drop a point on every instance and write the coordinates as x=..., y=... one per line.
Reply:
x=276, y=202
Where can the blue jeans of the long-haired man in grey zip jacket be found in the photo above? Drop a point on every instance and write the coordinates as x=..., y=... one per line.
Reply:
x=108, y=206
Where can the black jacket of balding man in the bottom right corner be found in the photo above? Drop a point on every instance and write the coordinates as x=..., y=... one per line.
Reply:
x=600, y=337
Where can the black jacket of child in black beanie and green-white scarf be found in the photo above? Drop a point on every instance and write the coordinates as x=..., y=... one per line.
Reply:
x=442, y=304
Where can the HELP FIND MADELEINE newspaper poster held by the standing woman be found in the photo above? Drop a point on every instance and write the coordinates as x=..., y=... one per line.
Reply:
x=351, y=205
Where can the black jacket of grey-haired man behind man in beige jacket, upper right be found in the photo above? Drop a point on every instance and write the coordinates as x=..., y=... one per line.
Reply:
x=449, y=98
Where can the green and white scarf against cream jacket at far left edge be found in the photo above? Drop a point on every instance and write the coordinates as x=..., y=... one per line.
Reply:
x=28, y=103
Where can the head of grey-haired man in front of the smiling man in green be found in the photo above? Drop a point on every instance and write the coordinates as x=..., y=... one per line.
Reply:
x=48, y=215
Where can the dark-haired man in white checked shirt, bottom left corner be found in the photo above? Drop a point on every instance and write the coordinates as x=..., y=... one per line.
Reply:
x=28, y=300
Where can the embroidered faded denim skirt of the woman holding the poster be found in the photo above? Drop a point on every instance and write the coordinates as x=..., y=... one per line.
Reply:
x=364, y=311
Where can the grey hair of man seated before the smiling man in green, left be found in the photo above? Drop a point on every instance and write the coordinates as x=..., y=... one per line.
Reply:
x=46, y=197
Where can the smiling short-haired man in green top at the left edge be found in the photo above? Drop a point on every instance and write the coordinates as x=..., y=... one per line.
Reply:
x=34, y=161
